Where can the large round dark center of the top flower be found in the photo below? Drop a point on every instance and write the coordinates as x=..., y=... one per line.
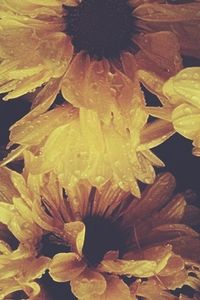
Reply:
x=102, y=28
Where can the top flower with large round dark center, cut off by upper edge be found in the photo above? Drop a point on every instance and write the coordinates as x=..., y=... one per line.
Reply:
x=91, y=50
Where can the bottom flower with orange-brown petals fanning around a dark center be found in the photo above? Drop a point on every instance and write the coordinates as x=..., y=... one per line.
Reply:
x=98, y=240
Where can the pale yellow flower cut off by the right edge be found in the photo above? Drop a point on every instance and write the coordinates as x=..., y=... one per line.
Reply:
x=182, y=104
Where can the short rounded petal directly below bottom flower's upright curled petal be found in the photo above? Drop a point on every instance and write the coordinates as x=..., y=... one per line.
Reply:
x=66, y=267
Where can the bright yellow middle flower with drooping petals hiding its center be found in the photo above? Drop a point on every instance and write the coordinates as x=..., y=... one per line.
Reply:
x=77, y=145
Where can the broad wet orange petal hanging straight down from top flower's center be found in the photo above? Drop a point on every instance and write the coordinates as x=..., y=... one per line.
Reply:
x=88, y=81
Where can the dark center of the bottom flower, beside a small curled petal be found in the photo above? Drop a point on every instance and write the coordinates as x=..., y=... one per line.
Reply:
x=101, y=237
